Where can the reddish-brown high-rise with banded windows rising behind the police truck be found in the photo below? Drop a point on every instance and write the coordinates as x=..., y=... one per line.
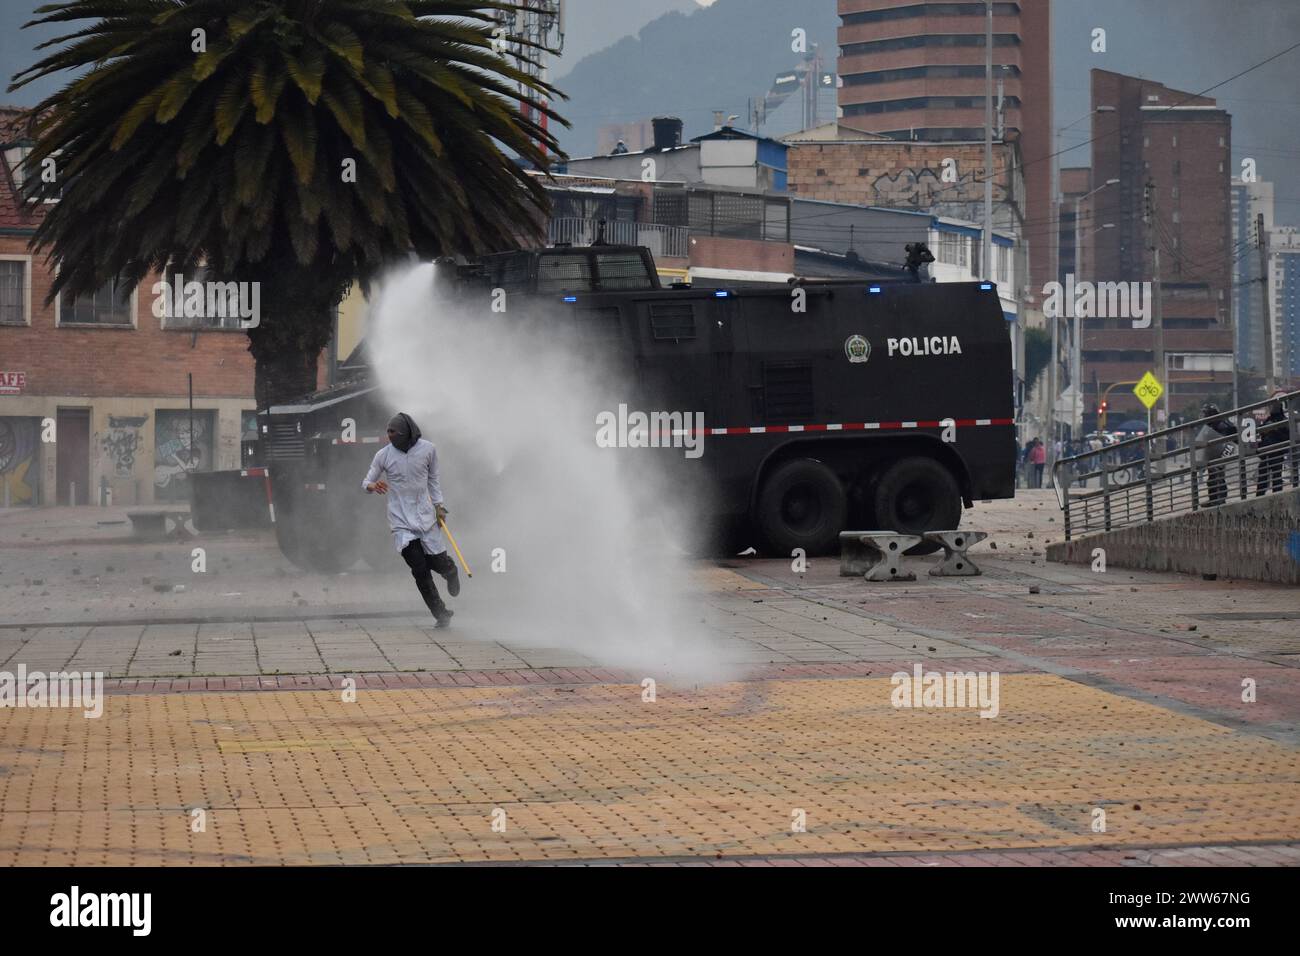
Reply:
x=916, y=71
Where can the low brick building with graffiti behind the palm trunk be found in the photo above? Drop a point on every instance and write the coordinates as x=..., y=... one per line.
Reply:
x=110, y=377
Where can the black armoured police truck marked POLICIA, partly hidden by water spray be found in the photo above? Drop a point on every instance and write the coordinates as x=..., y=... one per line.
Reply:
x=879, y=406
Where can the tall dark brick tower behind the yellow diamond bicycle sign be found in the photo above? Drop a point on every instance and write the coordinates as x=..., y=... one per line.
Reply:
x=1182, y=146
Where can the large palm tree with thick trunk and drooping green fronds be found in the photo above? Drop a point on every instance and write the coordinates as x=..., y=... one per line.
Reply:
x=298, y=144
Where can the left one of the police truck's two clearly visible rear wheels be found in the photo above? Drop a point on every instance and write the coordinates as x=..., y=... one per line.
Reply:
x=801, y=505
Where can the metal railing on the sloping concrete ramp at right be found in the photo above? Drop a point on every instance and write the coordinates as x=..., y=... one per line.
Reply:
x=1229, y=457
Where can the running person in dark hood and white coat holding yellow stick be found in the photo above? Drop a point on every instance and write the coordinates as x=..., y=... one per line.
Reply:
x=415, y=509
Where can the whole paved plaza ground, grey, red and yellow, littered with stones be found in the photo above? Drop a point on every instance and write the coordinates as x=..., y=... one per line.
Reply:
x=1142, y=719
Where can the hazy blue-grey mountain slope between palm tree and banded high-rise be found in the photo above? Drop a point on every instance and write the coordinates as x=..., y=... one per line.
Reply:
x=688, y=66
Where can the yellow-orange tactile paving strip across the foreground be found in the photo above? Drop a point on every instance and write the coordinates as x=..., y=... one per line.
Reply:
x=415, y=776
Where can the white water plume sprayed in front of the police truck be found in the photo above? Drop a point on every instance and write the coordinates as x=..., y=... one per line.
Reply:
x=587, y=539
